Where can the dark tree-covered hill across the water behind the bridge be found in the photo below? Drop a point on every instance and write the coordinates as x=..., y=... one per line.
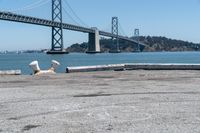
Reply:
x=153, y=44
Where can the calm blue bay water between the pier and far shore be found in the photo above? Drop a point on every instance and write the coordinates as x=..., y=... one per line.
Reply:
x=21, y=61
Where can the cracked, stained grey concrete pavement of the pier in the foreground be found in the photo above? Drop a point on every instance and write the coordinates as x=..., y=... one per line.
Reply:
x=101, y=102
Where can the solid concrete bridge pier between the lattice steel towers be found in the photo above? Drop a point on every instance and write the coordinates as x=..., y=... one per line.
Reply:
x=93, y=42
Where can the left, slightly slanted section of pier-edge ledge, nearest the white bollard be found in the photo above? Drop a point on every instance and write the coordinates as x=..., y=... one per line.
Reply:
x=116, y=67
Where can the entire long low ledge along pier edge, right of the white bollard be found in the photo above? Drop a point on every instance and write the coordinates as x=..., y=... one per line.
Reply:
x=134, y=66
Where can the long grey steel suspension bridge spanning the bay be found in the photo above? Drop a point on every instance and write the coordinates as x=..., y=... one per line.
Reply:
x=57, y=25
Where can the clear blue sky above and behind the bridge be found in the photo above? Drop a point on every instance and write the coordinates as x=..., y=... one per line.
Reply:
x=176, y=19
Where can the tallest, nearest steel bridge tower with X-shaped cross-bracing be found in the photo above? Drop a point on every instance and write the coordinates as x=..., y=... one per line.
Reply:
x=57, y=46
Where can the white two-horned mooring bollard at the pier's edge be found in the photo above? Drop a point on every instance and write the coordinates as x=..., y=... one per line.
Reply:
x=36, y=69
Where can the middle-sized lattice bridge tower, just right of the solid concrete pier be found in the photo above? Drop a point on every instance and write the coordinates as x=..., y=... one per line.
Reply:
x=115, y=32
